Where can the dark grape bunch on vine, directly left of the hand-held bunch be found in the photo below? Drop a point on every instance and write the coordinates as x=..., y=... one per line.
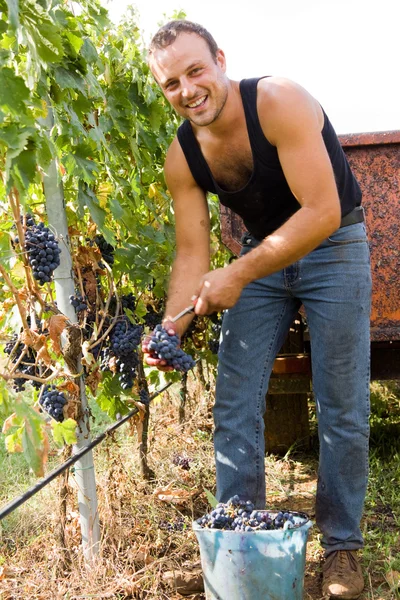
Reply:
x=124, y=339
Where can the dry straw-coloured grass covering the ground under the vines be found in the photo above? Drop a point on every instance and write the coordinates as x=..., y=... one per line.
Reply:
x=135, y=551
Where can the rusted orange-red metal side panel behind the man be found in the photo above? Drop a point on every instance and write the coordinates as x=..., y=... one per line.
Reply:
x=375, y=160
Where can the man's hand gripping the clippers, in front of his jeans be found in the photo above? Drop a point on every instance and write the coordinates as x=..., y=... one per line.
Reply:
x=218, y=290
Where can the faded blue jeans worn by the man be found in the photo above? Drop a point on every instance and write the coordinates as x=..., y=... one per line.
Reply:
x=334, y=284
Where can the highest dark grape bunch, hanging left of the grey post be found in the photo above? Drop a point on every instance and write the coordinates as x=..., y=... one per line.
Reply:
x=42, y=249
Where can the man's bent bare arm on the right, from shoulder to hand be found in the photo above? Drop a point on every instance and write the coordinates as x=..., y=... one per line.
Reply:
x=292, y=120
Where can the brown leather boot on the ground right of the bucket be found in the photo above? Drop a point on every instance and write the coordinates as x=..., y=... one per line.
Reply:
x=341, y=575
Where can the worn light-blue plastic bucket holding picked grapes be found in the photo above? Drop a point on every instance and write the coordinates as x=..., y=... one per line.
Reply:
x=254, y=565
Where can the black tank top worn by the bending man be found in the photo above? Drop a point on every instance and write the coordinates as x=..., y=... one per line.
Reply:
x=266, y=202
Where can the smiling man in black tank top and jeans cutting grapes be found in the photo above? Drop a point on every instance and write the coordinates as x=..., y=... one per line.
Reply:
x=266, y=147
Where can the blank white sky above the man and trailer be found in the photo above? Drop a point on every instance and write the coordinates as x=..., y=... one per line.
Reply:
x=345, y=52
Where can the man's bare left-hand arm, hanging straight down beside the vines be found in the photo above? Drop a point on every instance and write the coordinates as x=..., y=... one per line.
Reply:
x=192, y=228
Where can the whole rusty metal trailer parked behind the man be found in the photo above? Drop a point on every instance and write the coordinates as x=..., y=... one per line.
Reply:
x=375, y=160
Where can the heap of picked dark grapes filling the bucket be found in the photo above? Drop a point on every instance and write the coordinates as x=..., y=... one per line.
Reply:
x=239, y=515
